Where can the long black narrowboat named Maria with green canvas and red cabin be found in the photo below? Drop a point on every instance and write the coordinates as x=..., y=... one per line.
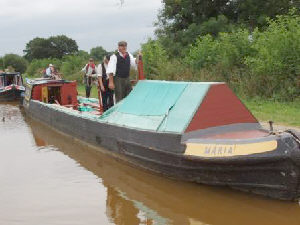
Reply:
x=193, y=131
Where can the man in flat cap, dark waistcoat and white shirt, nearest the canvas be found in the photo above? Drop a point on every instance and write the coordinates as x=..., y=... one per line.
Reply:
x=118, y=71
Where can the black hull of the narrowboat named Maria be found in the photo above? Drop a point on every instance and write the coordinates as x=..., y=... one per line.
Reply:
x=274, y=174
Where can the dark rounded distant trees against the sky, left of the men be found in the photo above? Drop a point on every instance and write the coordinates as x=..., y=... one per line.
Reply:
x=53, y=47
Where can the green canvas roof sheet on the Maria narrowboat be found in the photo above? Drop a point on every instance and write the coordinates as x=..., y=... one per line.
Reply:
x=162, y=106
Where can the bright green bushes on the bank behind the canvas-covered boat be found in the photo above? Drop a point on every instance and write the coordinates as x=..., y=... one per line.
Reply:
x=263, y=63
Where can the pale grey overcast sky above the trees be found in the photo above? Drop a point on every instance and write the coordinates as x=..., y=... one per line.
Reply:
x=90, y=22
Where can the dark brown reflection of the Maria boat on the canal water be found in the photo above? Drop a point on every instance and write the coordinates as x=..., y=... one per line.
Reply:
x=138, y=197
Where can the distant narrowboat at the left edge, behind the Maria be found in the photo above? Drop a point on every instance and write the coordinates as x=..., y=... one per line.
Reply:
x=11, y=86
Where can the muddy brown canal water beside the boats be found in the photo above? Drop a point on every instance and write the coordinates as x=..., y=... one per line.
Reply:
x=47, y=178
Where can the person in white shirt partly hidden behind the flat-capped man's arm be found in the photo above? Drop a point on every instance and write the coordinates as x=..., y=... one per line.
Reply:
x=106, y=93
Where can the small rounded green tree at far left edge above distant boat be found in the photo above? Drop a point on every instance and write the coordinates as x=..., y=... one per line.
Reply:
x=18, y=63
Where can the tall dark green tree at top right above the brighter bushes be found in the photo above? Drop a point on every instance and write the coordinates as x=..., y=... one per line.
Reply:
x=180, y=22
